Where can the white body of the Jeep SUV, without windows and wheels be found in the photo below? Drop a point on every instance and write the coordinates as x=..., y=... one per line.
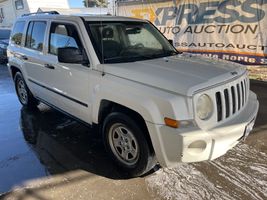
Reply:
x=156, y=89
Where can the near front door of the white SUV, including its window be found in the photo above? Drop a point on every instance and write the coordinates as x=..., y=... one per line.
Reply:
x=67, y=84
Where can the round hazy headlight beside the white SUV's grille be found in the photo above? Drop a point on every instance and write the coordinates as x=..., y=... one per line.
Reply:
x=204, y=107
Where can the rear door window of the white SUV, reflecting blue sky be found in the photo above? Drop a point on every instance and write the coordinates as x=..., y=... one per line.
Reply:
x=35, y=35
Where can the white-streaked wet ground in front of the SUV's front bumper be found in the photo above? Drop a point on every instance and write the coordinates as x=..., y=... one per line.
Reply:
x=240, y=174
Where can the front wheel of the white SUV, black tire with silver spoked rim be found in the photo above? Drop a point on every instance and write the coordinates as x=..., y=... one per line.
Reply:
x=145, y=159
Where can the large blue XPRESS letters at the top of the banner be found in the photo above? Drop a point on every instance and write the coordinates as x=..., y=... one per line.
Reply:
x=226, y=12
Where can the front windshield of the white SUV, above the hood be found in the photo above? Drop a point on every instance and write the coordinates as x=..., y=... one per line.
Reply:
x=117, y=42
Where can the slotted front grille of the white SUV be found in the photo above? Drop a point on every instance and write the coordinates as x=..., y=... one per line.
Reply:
x=232, y=99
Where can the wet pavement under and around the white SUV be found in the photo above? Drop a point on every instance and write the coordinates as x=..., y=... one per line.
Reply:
x=47, y=155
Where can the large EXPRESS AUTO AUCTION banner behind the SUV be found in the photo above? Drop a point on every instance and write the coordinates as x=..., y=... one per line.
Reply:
x=232, y=30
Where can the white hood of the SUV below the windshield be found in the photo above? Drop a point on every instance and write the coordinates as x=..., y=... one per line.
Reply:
x=183, y=74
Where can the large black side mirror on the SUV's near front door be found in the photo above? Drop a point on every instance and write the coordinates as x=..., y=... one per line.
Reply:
x=72, y=55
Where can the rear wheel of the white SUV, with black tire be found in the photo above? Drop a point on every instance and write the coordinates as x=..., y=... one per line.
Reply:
x=26, y=98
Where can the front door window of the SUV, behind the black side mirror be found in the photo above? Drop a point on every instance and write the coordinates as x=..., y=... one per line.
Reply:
x=63, y=35
